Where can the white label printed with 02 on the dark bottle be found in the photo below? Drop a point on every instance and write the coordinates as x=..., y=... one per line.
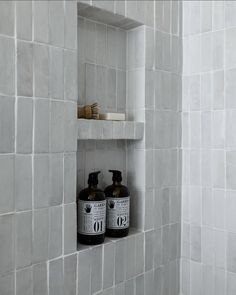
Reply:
x=118, y=213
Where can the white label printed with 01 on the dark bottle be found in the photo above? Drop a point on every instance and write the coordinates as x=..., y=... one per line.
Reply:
x=91, y=217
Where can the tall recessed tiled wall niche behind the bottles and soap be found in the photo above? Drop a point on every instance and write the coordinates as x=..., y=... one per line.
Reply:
x=111, y=71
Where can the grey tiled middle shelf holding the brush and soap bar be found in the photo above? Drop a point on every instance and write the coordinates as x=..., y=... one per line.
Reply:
x=108, y=130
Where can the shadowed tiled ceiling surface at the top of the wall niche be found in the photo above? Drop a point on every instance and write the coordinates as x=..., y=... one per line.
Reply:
x=106, y=17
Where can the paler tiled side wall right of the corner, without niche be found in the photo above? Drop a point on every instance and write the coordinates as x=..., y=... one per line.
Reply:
x=208, y=148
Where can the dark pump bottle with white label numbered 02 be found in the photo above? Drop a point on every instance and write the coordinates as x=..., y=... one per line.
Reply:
x=118, y=206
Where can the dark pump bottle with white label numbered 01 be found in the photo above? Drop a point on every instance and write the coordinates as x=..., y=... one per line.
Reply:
x=91, y=213
